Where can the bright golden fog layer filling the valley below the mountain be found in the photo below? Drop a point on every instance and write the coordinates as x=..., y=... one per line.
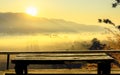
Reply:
x=46, y=41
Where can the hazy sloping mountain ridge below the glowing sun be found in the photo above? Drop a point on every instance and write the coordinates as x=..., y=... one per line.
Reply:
x=19, y=23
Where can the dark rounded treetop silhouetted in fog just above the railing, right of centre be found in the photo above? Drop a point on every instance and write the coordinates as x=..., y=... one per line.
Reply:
x=96, y=45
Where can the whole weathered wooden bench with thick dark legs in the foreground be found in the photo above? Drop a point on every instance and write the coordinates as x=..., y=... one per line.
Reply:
x=103, y=60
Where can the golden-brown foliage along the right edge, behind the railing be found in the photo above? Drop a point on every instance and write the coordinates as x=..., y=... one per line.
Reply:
x=113, y=43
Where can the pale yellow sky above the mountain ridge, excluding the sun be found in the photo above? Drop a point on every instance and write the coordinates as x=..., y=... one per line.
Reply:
x=80, y=11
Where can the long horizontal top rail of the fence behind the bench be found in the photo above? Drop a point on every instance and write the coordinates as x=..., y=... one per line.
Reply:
x=58, y=51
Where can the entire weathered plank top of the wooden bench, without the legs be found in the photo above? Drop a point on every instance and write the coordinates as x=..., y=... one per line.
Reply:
x=79, y=57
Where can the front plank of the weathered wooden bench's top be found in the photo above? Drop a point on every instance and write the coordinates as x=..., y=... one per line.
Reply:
x=65, y=58
